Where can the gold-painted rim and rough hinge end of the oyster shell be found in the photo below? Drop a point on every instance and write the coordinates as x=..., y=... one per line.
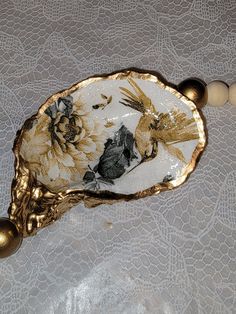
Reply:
x=34, y=207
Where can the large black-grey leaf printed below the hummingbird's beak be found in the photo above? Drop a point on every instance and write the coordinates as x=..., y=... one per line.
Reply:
x=117, y=155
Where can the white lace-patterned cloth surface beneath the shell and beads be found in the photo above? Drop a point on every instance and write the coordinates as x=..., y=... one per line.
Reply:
x=173, y=253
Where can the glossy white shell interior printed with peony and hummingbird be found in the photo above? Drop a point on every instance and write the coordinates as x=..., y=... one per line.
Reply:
x=124, y=133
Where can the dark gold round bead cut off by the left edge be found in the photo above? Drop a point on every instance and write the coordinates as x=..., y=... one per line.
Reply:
x=10, y=238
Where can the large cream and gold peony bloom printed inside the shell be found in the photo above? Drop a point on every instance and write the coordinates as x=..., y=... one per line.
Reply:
x=62, y=142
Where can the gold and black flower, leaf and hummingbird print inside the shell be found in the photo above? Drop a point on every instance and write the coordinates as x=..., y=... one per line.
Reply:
x=67, y=146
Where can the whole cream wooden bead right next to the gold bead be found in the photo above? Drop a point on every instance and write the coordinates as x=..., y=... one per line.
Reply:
x=218, y=93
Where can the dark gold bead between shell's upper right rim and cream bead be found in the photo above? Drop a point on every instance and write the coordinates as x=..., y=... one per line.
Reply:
x=195, y=90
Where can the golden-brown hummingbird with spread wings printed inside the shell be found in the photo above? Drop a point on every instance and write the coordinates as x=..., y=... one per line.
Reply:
x=155, y=127
